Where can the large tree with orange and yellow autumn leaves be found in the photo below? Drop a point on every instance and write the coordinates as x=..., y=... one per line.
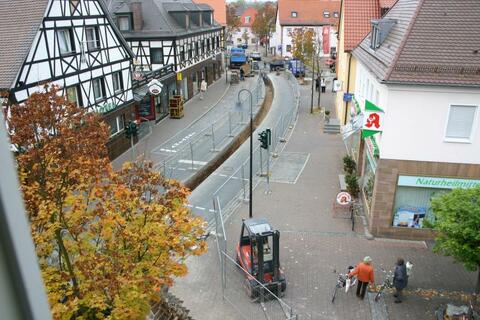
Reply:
x=106, y=241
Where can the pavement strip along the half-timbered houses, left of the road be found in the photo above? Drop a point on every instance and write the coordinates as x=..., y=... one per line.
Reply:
x=167, y=127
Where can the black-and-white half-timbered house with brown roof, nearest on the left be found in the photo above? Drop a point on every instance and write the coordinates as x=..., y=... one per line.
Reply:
x=74, y=44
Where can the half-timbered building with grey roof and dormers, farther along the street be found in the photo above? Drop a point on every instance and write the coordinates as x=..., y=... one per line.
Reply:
x=180, y=33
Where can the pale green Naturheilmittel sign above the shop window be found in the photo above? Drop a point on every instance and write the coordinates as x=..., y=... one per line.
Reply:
x=435, y=182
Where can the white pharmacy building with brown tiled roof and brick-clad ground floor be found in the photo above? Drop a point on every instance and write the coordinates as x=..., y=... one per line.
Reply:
x=429, y=91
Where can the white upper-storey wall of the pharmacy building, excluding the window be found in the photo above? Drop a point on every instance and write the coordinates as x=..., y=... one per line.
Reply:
x=416, y=120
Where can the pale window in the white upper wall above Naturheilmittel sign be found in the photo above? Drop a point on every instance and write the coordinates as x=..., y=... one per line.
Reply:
x=460, y=123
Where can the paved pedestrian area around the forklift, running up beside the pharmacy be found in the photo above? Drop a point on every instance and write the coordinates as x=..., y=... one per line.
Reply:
x=314, y=245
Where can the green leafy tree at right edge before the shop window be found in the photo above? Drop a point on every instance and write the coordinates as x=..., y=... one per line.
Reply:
x=457, y=221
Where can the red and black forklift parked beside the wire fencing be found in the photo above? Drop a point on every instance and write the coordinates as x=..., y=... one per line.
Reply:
x=258, y=254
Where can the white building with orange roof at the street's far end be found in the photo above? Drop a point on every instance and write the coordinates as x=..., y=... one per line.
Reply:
x=320, y=15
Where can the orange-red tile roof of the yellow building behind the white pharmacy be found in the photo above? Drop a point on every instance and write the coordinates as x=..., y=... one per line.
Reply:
x=356, y=20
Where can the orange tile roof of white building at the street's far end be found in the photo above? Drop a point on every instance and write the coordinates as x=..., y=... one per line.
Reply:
x=309, y=12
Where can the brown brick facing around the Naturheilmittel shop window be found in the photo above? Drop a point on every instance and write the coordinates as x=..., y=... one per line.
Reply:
x=380, y=220
